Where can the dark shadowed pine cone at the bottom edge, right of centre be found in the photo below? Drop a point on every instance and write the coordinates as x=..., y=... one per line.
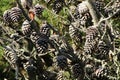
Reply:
x=78, y=71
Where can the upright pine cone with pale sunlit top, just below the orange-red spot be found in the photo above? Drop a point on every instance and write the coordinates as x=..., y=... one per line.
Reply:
x=26, y=29
